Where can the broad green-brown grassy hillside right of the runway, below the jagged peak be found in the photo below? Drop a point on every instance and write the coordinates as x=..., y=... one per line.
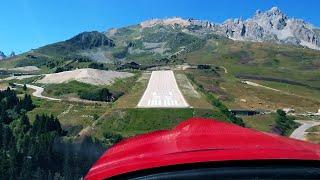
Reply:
x=287, y=63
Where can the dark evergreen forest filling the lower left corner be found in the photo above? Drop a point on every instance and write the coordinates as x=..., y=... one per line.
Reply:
x=41, y=149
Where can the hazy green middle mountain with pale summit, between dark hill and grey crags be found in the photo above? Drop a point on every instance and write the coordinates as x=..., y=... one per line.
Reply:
x=154, y=39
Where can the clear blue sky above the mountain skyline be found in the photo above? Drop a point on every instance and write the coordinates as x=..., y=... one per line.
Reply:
x=27, y=24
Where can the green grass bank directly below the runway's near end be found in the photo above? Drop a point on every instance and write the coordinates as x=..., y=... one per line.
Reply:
x=132, y=121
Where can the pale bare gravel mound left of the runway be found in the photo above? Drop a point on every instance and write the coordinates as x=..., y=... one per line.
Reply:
x=89, y=76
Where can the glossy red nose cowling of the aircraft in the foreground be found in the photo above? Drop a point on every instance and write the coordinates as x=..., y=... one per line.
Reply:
x=198, y=140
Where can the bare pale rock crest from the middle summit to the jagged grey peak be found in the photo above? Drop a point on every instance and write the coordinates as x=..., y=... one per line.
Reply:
x=270, y=26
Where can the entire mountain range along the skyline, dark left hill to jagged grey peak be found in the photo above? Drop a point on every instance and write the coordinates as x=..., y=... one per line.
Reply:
x=158, y=41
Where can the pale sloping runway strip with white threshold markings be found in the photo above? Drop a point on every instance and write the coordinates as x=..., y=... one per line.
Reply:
x=162, y=91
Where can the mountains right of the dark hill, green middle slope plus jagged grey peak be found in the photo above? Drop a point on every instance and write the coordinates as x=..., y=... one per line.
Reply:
x=163, y=38
